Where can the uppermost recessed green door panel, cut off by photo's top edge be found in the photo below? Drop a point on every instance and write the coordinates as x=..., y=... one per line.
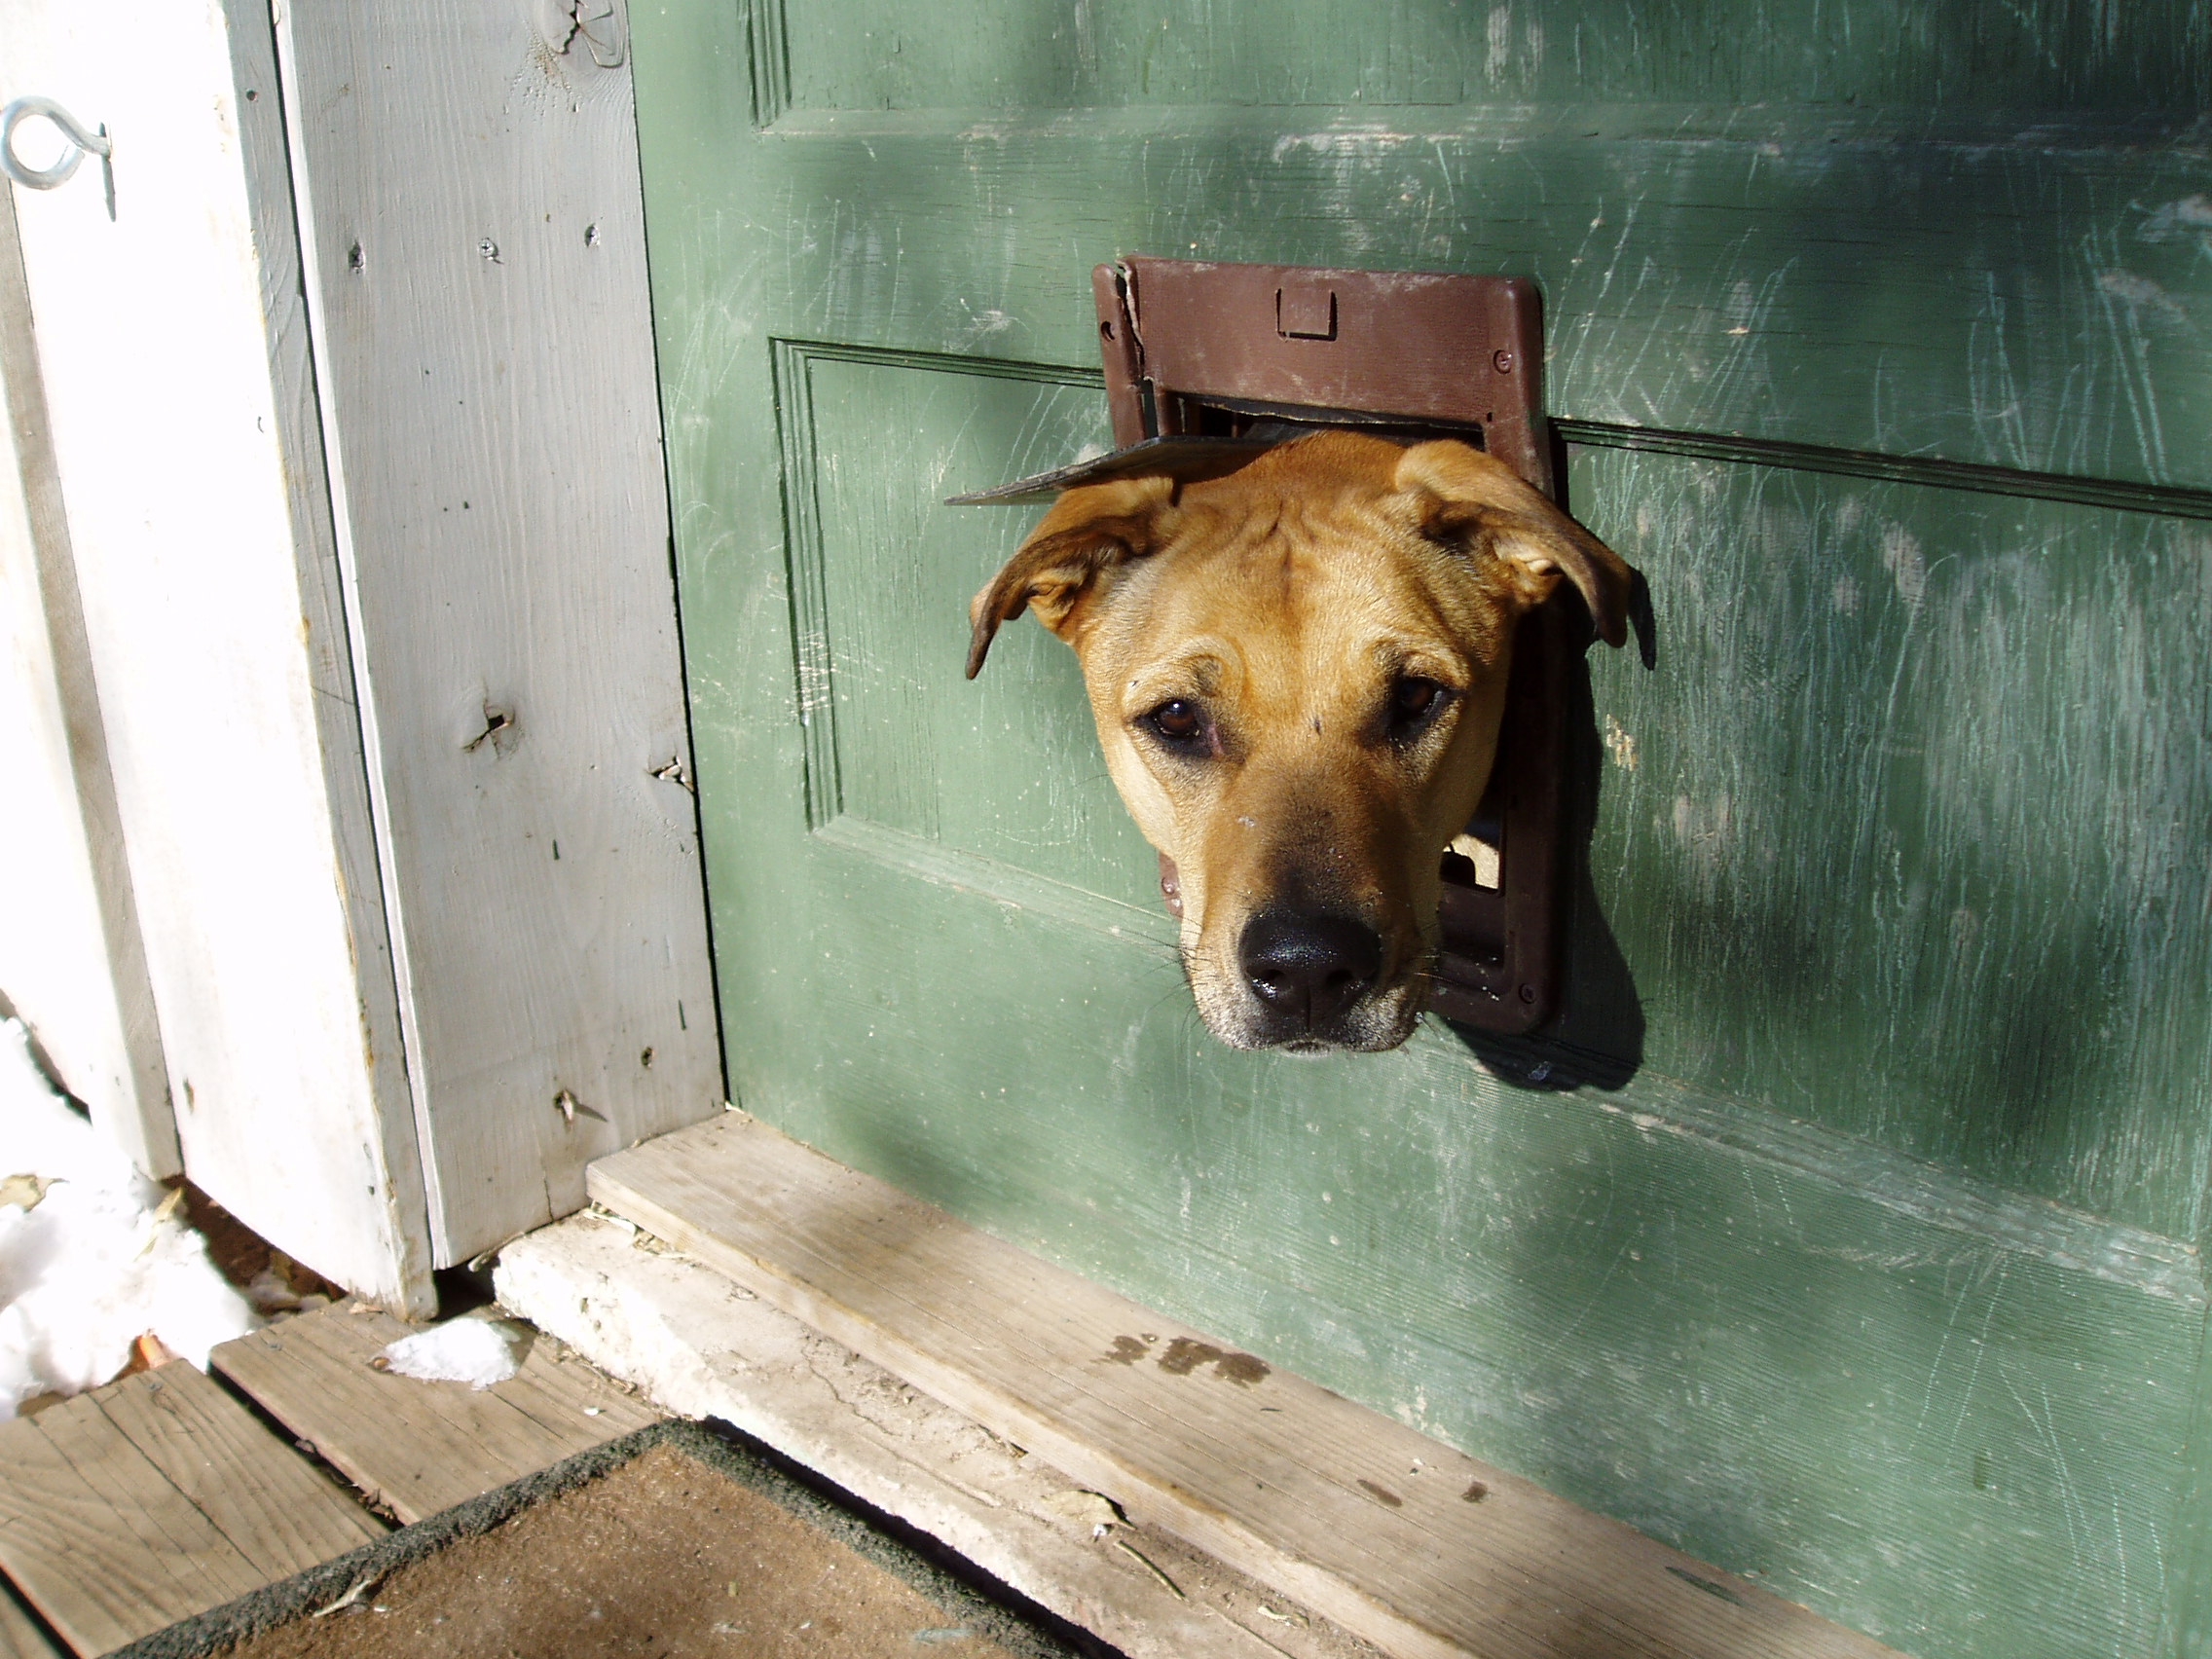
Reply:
x=1008, y=54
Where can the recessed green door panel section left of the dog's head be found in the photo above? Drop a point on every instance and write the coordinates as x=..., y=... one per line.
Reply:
x=893, y=572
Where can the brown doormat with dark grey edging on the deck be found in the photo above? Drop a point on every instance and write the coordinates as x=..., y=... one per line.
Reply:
x=707, y=1580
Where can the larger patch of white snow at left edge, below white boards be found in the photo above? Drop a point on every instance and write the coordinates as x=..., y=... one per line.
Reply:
x=92, y=1253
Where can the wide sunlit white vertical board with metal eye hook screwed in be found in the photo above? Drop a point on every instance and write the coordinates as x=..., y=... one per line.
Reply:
x=180, y=517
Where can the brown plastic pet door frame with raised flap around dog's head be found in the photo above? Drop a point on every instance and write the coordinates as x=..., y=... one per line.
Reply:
x=1211, y=366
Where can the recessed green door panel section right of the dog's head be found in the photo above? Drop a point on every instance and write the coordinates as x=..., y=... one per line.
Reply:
x=1908, y=837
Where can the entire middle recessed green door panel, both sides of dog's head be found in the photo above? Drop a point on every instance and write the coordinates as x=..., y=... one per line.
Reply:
x=1943, y=846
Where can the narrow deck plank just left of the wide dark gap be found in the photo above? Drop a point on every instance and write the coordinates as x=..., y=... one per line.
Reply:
x=280, y=1512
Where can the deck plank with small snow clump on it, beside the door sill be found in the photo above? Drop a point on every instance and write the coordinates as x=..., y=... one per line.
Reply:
x=419, y=1448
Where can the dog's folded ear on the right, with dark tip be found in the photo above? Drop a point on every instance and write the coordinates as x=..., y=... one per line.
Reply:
x=1479, y=503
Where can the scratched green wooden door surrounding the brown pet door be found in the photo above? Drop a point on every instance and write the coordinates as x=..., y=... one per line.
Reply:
x=1846, y=1235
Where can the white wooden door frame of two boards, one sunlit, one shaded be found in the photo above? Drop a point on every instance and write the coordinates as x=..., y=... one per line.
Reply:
x=355, y=426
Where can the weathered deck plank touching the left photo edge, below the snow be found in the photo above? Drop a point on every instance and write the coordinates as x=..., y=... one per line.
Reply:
x=98, y=1541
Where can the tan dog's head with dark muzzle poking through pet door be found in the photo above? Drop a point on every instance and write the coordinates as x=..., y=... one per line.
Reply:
x=1297, y=676
